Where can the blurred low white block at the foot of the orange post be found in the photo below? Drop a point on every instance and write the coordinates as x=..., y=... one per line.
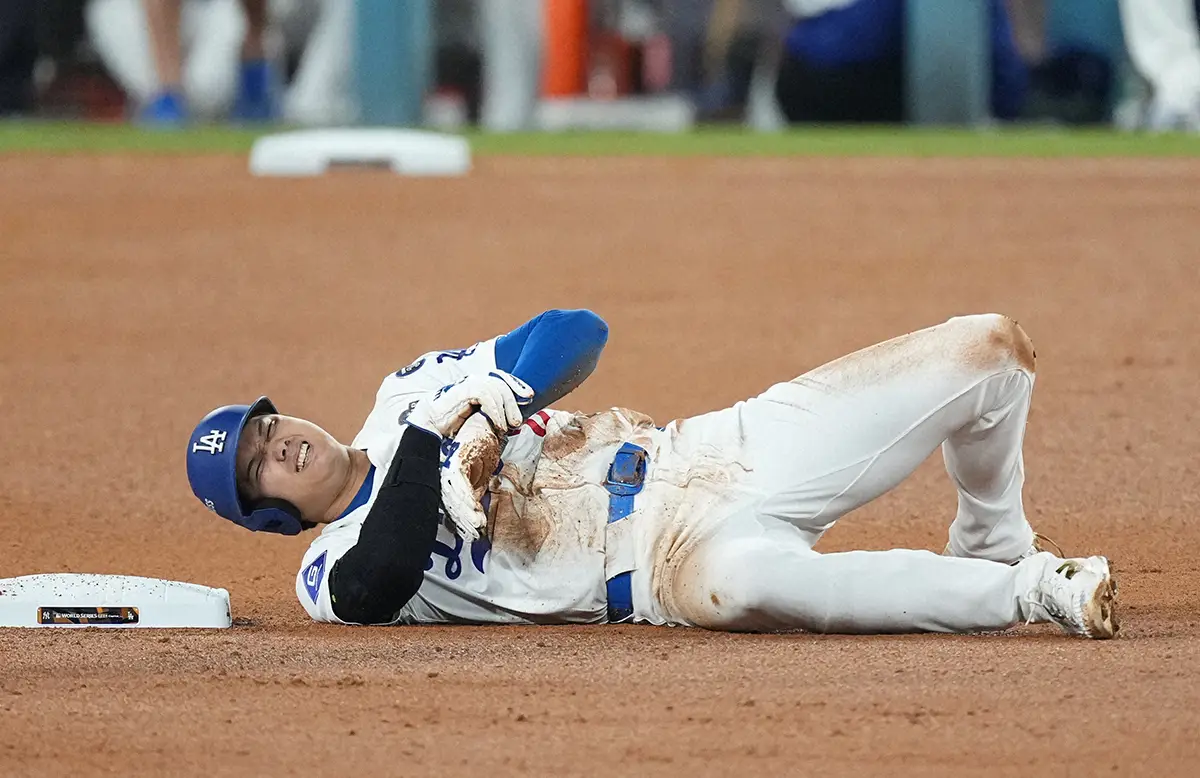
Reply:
x=668, y=113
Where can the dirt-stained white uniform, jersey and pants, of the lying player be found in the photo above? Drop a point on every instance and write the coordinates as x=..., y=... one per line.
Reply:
x=722, y=535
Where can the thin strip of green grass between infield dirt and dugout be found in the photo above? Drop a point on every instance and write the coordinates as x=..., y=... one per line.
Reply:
x=26, y=137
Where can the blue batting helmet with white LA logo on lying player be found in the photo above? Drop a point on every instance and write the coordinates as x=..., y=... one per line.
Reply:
x=213, y=471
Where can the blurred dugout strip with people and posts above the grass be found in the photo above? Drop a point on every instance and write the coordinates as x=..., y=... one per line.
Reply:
x=632, y=64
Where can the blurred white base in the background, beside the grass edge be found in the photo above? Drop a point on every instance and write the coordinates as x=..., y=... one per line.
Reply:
x=405, y=152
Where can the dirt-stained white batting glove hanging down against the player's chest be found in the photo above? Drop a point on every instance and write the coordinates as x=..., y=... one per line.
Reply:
x=466, y=475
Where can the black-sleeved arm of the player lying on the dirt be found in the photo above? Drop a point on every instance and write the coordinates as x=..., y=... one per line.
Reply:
x=386, y=568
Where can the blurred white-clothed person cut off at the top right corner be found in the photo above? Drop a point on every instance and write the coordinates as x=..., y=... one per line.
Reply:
x=1163, y=40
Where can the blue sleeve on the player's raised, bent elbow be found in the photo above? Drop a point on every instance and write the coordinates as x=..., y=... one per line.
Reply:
x=554, y=352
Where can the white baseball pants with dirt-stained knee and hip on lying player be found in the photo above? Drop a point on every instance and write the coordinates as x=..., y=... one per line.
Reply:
x=841, y=436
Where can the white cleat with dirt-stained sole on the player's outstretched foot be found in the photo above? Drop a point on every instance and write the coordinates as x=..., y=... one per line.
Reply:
x=1078, y=595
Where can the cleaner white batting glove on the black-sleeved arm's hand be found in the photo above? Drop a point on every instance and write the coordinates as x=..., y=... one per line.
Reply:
x=497, y=396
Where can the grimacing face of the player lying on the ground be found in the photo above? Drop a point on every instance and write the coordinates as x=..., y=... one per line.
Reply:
x=291, y=459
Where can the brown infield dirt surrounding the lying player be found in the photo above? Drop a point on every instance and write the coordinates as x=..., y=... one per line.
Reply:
x=142, y=291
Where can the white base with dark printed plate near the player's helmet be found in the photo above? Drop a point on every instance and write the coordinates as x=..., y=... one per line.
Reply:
x=81, y=600
